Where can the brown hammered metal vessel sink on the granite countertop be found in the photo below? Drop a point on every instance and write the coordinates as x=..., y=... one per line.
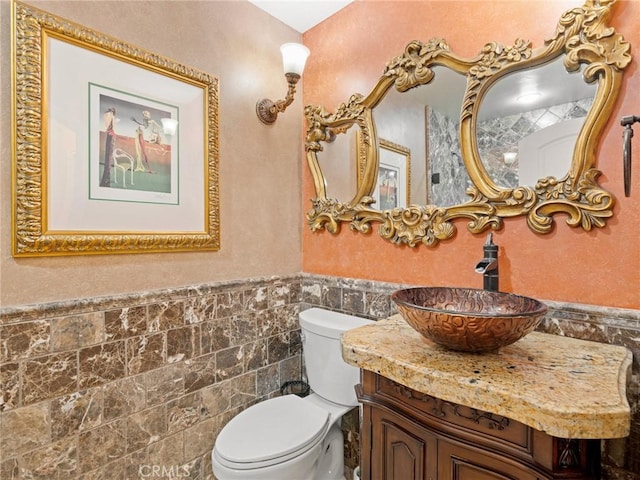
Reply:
x=467, y=319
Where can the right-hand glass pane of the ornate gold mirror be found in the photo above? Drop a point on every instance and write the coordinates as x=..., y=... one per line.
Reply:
x=535, y=114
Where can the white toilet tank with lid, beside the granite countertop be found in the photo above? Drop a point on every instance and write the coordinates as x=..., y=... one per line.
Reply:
x=328, y=374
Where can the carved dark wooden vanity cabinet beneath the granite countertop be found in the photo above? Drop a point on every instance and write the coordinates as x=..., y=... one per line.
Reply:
x=407, y=435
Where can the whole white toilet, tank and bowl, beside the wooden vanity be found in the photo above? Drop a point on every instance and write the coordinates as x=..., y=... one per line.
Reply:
x=293, y=438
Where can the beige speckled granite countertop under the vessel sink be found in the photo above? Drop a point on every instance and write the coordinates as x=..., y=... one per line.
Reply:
x=565, y=387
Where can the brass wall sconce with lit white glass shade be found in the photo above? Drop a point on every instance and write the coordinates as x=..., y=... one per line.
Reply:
x=294, y=56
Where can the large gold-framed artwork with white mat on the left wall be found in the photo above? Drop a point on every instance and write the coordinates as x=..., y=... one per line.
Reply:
x=115, y=149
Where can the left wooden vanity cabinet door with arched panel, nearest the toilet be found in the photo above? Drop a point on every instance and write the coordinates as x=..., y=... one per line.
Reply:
x=401, y=450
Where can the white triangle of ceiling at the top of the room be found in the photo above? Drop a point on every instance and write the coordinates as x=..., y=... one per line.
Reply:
x=301, y=15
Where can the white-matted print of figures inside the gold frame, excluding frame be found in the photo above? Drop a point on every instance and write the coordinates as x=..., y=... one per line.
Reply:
x=86, y=117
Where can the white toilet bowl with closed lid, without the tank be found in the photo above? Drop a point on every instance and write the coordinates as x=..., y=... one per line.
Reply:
x=285, y=438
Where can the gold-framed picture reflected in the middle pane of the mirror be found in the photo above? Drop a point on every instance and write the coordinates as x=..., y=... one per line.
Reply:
x=392, y=188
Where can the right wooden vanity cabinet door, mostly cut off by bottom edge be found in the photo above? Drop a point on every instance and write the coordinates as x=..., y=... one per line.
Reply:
x=456, y=462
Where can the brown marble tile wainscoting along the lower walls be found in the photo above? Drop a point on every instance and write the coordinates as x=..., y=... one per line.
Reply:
x=125, y=387
